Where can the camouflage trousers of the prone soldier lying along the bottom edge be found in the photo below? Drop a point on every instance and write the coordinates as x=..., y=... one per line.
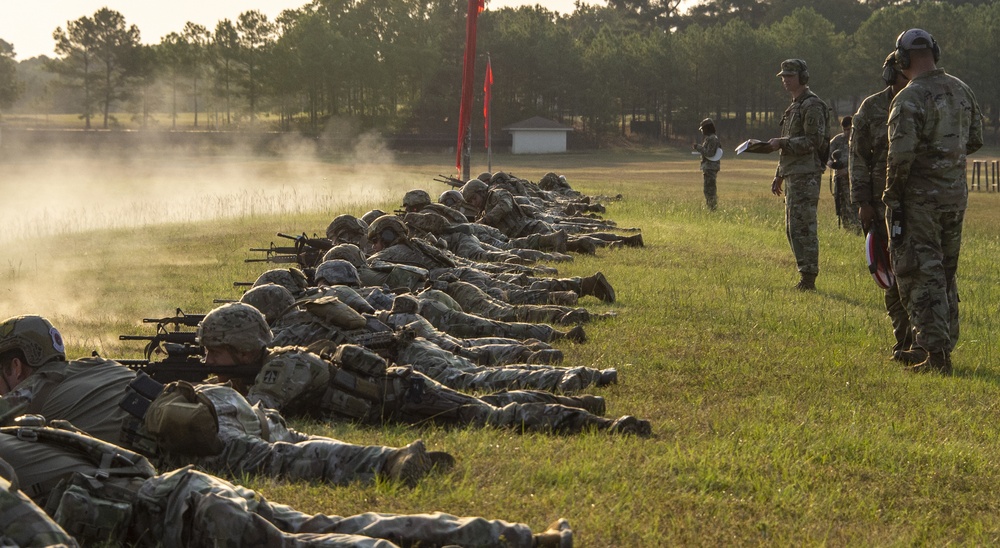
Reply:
x=189, y=508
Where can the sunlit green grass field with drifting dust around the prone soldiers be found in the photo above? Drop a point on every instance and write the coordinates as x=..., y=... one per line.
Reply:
x=777, y=418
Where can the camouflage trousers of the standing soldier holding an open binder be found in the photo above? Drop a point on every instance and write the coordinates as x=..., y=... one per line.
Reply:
x=801, y=200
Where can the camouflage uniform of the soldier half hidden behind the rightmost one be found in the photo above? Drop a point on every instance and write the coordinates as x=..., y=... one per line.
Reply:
x=869, y=145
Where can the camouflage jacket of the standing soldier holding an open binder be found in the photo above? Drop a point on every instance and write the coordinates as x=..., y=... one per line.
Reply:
x=803, y=132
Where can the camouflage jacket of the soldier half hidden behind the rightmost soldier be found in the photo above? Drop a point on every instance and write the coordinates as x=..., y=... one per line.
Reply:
x=869, y=146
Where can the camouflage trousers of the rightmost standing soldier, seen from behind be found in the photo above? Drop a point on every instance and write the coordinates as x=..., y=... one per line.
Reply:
x=925, y=262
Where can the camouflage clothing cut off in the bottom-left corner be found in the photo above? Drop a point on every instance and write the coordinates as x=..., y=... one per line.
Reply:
x=22, y=523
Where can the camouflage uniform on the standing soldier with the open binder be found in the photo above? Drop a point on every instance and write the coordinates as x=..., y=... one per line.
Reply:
x=803, y=131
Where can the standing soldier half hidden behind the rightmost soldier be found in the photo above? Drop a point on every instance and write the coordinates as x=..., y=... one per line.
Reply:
x=869, y=145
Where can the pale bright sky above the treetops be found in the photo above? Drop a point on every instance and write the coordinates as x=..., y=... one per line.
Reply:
x=29, y=25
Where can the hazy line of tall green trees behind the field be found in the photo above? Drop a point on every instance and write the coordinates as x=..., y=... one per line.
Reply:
x=395, y=65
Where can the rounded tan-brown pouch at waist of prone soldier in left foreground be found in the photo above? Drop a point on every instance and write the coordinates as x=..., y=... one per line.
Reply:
x=184, y=421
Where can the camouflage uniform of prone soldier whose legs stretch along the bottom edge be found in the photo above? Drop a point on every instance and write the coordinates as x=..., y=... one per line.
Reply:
x=130, y=504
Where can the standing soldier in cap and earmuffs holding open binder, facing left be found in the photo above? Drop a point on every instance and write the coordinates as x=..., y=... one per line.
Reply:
x=803, y=137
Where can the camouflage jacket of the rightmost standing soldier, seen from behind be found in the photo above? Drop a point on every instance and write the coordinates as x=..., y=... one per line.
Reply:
x=934, y=122
